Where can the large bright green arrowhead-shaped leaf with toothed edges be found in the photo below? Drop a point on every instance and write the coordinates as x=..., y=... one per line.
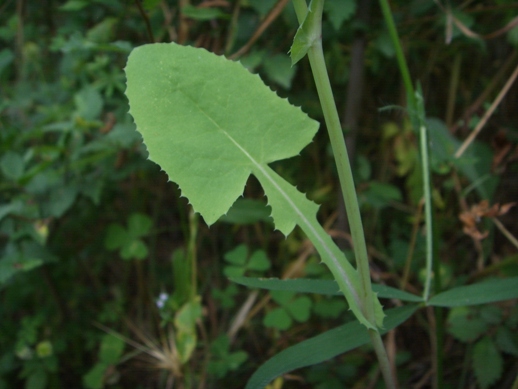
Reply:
x=210, y=123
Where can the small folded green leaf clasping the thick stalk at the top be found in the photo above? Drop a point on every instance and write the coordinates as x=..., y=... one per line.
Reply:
x=308, y=33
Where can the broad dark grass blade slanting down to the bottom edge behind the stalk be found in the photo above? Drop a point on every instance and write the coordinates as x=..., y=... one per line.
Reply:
x=323, y=347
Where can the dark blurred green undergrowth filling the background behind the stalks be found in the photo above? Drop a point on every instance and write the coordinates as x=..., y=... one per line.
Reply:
x=100, y=255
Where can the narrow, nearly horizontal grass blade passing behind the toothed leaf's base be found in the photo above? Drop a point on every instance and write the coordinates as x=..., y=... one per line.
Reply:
x=319, y=287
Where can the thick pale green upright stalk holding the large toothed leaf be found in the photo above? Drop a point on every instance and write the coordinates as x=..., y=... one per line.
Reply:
x=319, y=70
